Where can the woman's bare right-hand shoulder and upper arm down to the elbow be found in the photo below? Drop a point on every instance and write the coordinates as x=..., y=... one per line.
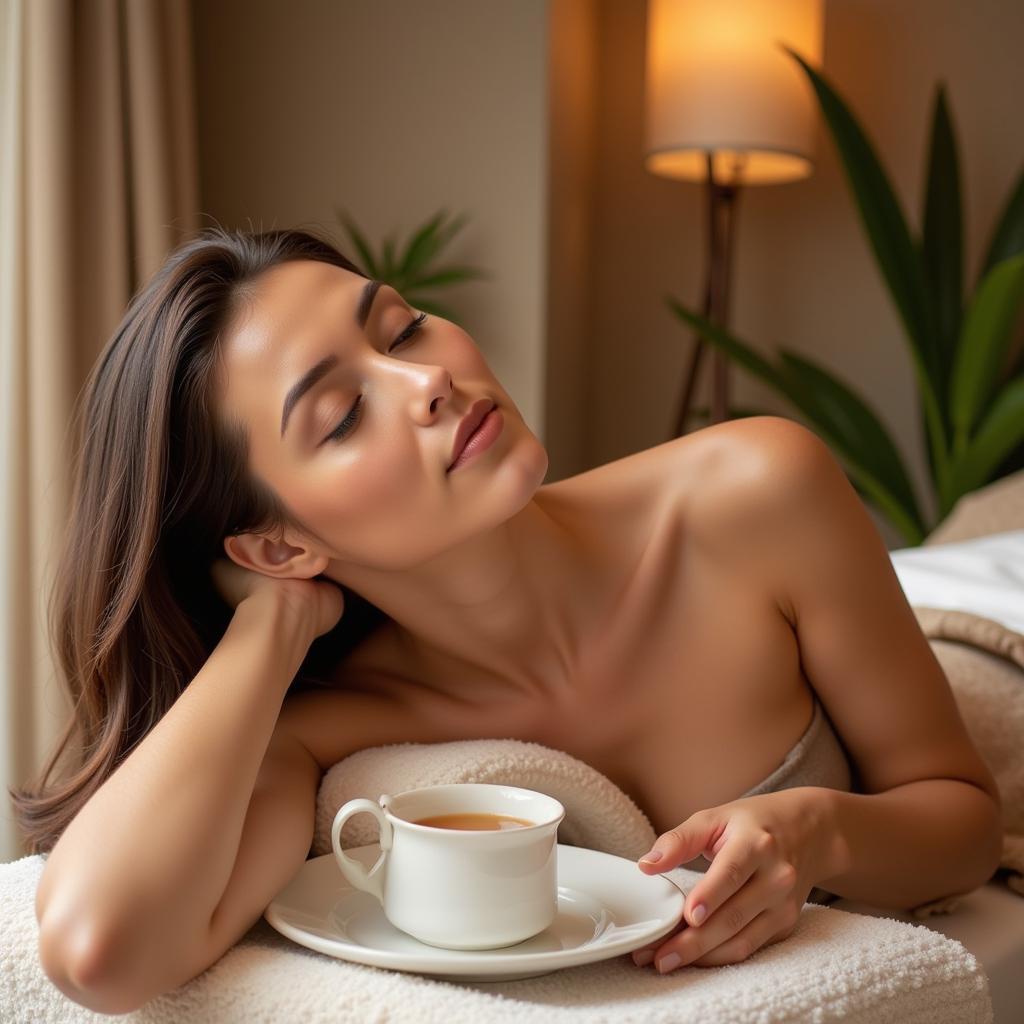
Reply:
x=777, y=501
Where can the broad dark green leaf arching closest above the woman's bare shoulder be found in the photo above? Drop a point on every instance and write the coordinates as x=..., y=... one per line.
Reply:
x=859, y=433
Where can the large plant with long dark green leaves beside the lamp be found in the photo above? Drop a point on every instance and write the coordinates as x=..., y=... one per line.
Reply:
x=971, y=396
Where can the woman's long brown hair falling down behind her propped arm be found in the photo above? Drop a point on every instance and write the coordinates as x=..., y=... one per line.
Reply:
x=159, y=481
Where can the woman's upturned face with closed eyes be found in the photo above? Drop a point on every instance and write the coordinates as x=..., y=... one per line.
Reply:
x=361, y=455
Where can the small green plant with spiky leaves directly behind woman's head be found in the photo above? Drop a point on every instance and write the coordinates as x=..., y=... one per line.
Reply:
x=411, y=273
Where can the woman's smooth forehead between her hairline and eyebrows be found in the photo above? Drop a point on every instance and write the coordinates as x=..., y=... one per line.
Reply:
x=270, y=343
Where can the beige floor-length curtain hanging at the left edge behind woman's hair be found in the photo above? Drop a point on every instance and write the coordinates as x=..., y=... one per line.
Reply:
x=98, y=184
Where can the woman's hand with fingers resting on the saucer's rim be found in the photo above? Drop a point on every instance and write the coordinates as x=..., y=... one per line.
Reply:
x=765, y=855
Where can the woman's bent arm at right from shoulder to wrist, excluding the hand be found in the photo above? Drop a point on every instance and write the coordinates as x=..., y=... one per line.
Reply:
x=928, y=822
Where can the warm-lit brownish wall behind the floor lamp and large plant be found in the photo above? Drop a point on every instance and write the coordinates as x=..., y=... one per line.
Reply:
x=803, y=274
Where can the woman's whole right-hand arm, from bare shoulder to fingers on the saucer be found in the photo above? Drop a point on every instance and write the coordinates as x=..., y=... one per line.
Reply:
x=928, y=825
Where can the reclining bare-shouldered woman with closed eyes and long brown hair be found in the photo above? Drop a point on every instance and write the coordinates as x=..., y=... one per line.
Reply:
x=269, y=460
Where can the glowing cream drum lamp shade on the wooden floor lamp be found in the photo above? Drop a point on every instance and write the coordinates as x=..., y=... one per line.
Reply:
x=718, y=80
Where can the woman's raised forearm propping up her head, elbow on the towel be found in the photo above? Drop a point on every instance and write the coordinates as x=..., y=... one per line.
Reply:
x=147, y=861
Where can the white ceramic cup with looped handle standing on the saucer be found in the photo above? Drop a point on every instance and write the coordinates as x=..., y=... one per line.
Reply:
x=461, y=889
